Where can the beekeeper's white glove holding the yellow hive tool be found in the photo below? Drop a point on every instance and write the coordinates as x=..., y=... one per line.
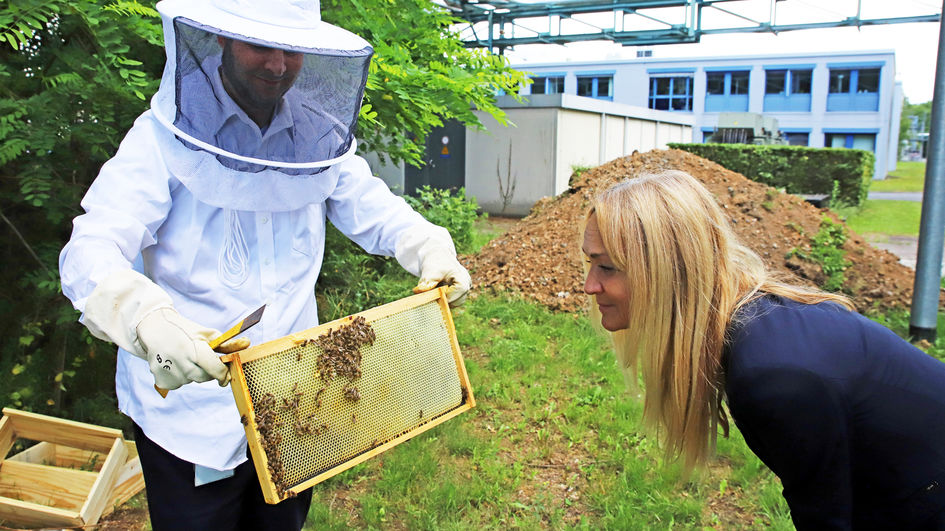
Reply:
x=133, y=312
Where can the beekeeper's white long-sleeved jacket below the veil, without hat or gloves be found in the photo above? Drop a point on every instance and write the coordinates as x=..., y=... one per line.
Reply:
x=217, y=264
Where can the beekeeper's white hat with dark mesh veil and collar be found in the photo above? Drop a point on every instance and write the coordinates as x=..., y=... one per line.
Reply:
x=258, y=89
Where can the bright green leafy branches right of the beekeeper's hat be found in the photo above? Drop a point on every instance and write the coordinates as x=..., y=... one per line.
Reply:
x=421, y=74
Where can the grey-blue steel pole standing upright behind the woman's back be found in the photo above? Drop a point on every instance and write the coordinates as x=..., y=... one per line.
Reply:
x=928, y=269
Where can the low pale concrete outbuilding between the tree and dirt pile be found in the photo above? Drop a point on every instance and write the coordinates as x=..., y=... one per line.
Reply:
x=552, y=135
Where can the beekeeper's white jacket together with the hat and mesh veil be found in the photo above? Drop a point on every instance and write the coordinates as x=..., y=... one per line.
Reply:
x=224, y=215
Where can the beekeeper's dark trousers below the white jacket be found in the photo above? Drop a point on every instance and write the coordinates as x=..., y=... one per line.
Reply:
x=234, y=503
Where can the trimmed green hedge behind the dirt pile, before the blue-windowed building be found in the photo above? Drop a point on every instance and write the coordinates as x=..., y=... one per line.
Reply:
x=843, y=174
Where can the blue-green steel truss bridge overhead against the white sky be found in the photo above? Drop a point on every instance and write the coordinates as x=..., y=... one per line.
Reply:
x=499, y=24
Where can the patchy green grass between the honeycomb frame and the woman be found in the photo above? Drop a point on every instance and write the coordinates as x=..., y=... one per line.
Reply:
x=554, y=442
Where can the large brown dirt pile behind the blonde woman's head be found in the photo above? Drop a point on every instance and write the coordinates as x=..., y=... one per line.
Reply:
x=540, y=256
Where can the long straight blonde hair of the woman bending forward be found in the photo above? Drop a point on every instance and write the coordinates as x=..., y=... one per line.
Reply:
x=687, y=275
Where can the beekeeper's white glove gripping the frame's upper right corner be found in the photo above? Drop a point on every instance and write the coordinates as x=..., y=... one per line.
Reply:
x=436, y=262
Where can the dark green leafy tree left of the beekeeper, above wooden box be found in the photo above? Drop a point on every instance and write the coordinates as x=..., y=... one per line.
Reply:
x=73, y=76
